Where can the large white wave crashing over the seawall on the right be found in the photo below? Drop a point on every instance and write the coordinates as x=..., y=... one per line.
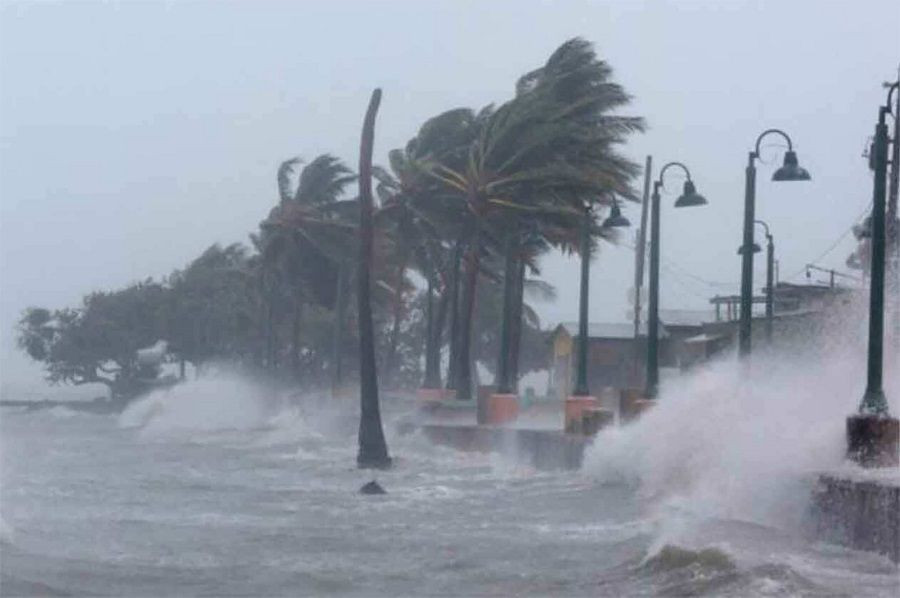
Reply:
x=715, y=446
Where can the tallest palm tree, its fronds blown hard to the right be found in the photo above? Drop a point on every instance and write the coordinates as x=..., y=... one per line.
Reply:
x=539, y=156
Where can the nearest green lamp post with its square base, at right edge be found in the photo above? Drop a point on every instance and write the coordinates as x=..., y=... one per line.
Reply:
x=872, y=435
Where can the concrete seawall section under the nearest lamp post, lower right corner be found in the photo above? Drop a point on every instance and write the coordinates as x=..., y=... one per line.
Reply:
x=859, y=512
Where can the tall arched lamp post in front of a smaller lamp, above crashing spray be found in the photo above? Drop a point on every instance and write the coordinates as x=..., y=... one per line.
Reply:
x=789, y=171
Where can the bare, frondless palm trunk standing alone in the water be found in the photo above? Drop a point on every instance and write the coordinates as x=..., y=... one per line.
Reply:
x=373, y=451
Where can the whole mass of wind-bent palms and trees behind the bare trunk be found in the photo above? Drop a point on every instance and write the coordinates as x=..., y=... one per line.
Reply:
x=499, y=186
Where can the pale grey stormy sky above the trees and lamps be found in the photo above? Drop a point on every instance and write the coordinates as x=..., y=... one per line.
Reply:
x=135, y=134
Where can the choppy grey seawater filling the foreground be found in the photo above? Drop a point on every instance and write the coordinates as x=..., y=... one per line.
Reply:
x=208, y=492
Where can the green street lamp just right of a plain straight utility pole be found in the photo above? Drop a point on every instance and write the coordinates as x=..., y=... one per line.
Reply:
x=688, y=198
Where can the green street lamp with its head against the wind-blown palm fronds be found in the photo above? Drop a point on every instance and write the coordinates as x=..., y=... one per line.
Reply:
x=581, y=395
